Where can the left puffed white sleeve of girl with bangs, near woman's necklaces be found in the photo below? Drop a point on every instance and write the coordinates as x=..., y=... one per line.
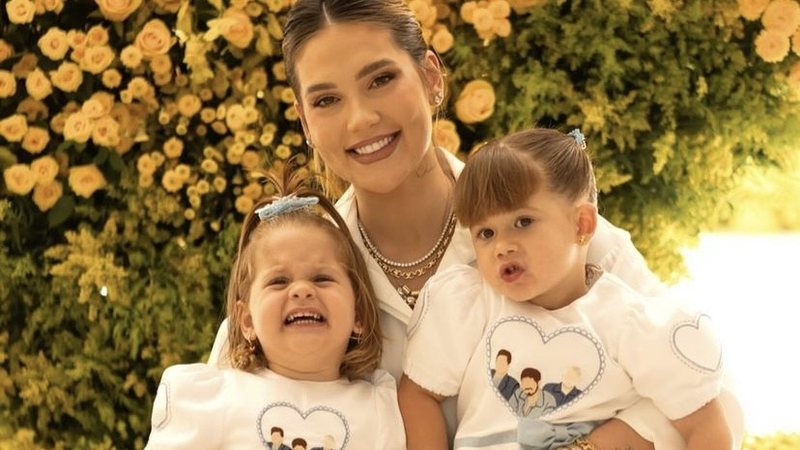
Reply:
x=445, y=329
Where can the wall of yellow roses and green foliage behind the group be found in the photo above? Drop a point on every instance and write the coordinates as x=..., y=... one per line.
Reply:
x=128, y=129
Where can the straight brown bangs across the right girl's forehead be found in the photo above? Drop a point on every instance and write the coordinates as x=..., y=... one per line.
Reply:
x=481, y=191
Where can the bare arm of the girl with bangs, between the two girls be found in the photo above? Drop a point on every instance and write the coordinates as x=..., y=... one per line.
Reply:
x=422, y=417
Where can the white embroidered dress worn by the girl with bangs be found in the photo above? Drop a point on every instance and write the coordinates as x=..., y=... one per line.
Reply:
x=625, y=346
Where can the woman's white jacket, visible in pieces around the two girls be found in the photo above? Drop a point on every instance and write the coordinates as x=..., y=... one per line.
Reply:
x=611, y=249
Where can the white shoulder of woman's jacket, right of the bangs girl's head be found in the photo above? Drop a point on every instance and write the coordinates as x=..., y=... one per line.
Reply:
x=611, y=248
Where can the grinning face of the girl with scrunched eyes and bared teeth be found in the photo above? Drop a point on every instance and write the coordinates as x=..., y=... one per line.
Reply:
x=302, y=304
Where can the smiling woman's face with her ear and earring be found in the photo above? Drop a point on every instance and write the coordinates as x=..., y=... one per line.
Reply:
x=365, y=104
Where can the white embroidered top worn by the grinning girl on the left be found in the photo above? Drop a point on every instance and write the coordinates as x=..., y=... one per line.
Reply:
x=199, y=406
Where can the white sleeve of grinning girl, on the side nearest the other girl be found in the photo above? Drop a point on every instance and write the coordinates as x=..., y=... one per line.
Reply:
x=392, y=433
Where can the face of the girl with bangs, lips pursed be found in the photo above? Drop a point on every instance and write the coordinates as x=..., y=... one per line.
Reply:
x=532, y=253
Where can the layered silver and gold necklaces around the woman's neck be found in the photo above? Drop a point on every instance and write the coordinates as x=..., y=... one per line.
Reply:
x=412, y=269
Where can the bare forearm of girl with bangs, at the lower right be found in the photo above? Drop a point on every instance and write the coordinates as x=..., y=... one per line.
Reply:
x=706, y=428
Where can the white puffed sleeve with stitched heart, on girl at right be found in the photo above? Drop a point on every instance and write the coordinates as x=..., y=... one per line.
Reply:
x=672, y=355
